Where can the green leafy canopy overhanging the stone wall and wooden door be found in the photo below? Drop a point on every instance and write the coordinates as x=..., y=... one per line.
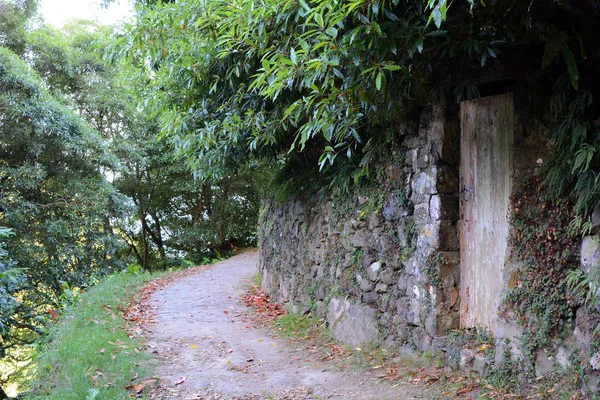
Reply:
x=331, y=79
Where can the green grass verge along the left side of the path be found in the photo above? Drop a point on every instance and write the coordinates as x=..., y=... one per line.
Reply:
x=88, y=354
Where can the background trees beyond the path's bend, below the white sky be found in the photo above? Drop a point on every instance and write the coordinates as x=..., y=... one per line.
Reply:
x=172, y=212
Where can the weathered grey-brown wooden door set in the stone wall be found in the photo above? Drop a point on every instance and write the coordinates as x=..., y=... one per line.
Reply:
x=487, y=126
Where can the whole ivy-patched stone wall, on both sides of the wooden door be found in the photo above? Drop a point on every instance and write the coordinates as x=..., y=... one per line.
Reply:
x=382, y=263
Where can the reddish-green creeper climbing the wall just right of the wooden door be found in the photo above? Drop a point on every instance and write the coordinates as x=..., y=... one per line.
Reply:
x=542, y=241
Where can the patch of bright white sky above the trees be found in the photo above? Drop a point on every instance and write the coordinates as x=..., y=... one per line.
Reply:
x=57, y=12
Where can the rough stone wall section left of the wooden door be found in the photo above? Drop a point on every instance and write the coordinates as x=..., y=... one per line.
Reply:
x=380, y=263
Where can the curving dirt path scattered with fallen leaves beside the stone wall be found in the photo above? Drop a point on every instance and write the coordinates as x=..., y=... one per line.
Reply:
x=208, y=348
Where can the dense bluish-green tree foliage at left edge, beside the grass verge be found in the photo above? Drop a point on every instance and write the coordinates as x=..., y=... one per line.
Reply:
x=55, y=198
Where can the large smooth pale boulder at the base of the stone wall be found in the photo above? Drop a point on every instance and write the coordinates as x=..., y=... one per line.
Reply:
x=353, y=324
